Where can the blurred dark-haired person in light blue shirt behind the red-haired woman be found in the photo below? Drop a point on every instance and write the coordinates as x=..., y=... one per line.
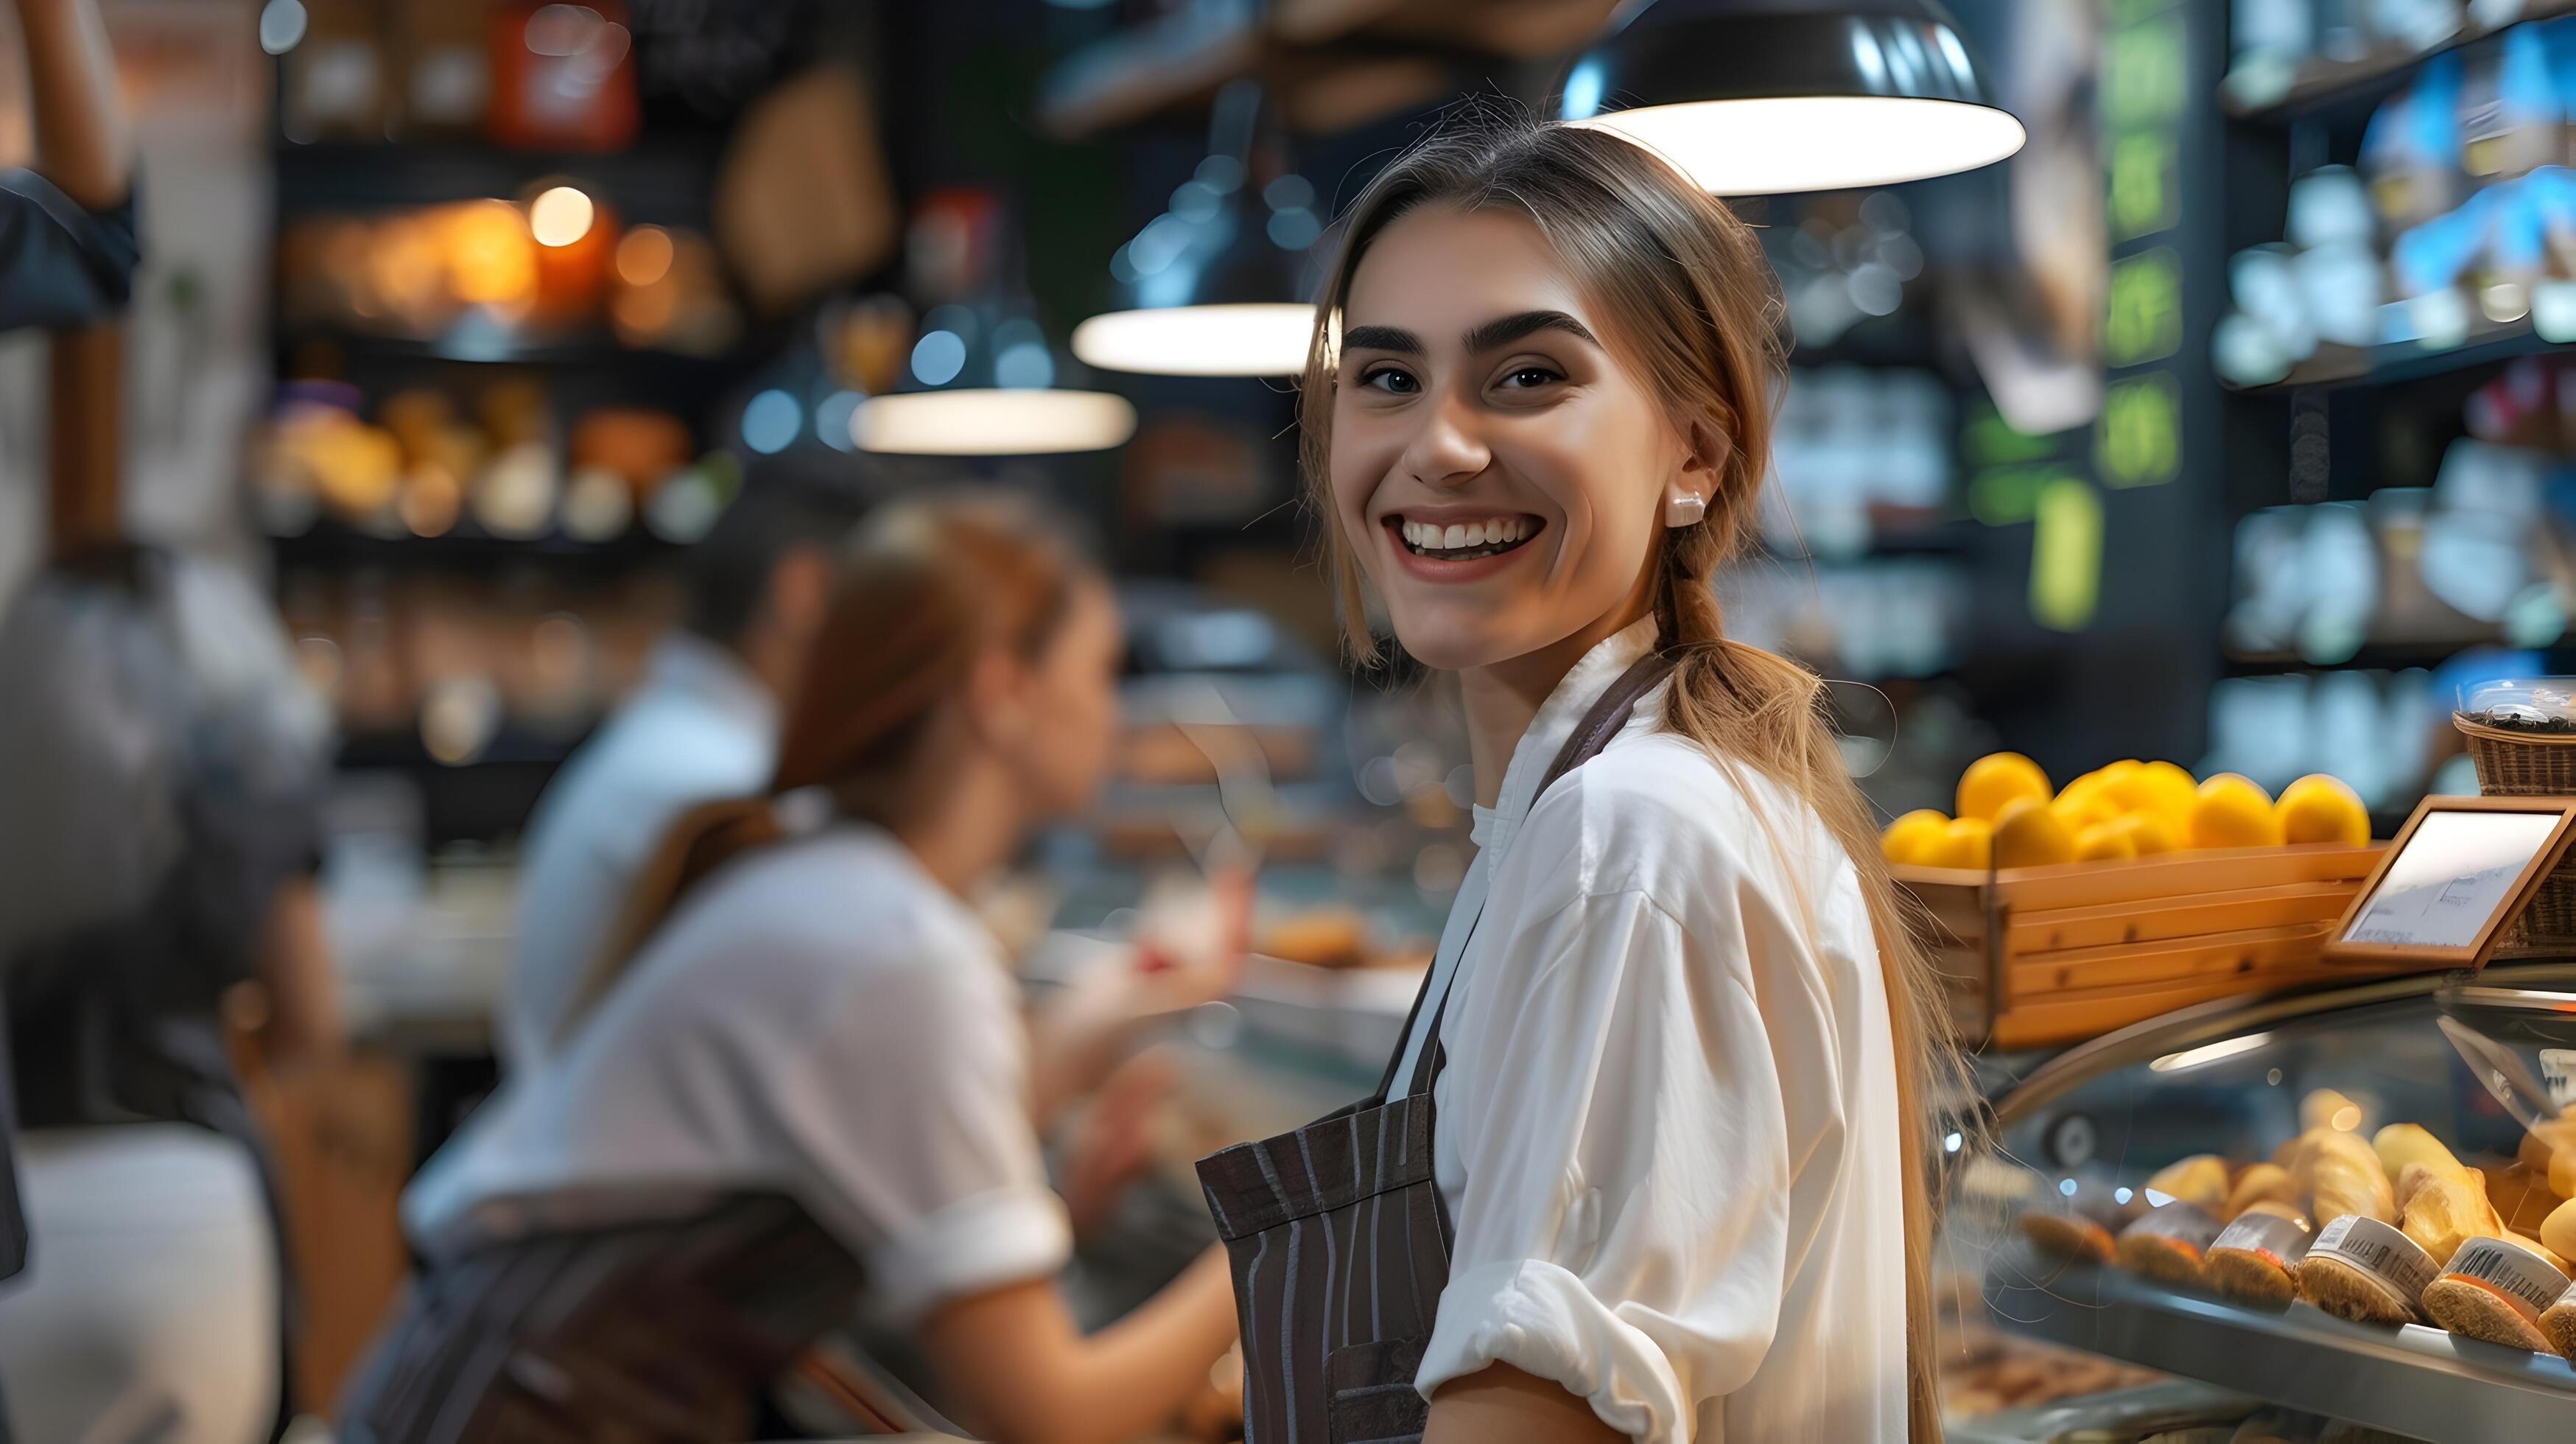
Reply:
x=705, y=726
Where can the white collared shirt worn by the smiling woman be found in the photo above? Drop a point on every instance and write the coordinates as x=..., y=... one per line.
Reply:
x=1668, y=1126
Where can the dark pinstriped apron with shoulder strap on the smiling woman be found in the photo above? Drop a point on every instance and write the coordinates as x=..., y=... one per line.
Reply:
x=1338, y=1234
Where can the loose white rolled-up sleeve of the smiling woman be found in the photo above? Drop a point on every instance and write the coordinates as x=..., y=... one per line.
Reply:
x=1627, y=1162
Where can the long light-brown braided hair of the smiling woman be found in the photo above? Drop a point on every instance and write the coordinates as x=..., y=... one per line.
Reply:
x=1699, y=316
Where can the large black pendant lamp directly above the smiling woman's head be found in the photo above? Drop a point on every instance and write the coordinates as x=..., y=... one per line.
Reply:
x=1766, y=97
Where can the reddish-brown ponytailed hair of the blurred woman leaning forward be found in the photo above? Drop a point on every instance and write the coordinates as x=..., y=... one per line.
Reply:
x=921, y=594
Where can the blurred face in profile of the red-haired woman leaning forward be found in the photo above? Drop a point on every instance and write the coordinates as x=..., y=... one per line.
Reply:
x=1068, y=708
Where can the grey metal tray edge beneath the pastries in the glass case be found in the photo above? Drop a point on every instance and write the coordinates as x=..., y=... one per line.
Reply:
x=2410, y=1381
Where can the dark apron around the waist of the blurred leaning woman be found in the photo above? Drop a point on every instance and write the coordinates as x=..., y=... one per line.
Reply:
x=653, y=1332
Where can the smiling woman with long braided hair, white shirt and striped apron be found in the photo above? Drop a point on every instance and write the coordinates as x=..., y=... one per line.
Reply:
x=1653, y=1156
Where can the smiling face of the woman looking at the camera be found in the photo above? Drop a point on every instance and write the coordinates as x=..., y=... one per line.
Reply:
x=1498, y=471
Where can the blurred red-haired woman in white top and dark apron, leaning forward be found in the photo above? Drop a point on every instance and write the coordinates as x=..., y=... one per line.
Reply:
x=805, y=1007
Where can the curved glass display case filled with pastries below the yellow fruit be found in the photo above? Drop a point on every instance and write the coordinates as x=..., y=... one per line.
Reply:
x=2482, y=1064
